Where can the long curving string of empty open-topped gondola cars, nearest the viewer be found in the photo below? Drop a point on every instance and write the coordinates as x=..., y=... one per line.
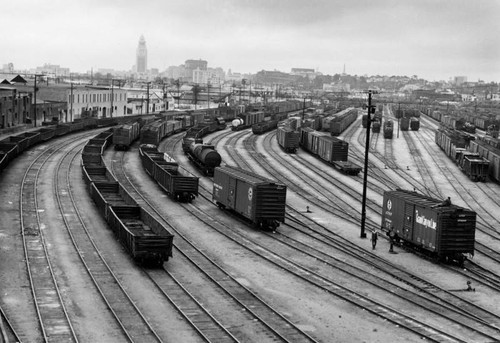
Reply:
x=145, y=239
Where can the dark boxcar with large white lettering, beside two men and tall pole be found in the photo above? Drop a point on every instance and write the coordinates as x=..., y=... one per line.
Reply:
x=445, y=232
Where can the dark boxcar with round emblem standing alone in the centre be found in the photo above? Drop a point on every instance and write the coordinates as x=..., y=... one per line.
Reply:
x=259, y=200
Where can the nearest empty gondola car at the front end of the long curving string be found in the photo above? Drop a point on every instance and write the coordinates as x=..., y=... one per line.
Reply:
x=146, y=239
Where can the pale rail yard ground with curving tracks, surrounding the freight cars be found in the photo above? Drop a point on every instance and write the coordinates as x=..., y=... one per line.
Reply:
x=313, y=279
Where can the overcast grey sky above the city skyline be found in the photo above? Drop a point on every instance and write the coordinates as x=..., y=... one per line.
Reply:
x=434, y=39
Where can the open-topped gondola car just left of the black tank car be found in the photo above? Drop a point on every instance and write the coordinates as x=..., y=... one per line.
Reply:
x=166, y=172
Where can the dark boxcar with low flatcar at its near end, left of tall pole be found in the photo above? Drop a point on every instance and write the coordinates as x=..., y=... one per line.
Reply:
x=331, y=150
